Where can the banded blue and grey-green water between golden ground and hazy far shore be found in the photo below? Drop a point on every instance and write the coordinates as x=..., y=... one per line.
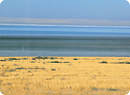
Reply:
x=51, y=40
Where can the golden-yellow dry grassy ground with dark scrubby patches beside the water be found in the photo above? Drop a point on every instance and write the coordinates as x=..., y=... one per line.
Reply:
x=64, y=75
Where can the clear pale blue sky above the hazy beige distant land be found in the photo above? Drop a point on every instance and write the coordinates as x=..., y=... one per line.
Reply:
x=66, y=9
